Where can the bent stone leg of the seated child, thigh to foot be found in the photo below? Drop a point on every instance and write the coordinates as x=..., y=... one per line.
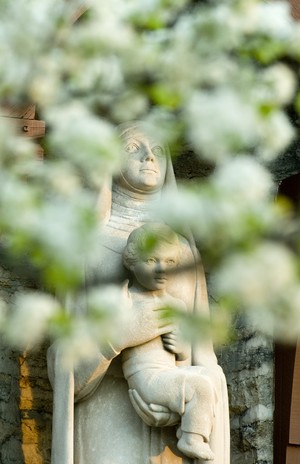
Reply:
x=187, y=391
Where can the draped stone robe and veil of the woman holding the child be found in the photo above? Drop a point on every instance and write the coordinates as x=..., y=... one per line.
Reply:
x=107, y=429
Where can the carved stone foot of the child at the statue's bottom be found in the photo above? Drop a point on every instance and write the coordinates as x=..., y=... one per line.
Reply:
x=193, y=446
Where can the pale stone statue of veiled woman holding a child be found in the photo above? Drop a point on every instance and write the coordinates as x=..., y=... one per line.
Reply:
x=150, y=397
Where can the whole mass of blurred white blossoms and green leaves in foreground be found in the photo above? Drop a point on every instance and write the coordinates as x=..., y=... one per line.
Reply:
x=212, y=74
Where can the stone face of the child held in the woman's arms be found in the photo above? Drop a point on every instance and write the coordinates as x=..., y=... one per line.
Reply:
x=152, y=271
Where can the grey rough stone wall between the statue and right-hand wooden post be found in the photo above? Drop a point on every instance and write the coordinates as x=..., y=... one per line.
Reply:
x=248, y=366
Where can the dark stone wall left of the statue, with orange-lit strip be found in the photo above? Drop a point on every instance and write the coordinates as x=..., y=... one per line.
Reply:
x=25, y=395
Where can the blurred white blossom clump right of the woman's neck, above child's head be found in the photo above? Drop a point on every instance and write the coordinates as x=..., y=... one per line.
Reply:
x=235, y=202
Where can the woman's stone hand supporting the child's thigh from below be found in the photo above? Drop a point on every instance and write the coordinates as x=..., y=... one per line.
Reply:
x=153, y=415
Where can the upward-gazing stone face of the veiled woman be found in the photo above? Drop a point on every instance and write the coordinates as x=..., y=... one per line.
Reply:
x=145, y=163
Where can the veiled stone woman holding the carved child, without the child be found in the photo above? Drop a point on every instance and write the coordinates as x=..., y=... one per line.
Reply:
x=94, y=420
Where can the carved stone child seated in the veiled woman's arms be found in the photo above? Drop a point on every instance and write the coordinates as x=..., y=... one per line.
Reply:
x=151, y=368
